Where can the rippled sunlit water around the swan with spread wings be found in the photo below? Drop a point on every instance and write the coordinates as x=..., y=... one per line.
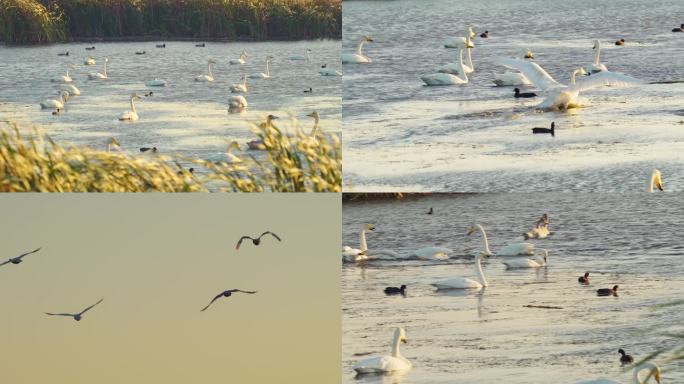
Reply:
x=401, y=135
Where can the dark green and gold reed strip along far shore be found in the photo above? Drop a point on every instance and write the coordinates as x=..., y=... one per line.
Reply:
x=48, y=21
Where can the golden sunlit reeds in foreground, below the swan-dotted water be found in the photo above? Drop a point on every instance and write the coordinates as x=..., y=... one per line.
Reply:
x=298, y=163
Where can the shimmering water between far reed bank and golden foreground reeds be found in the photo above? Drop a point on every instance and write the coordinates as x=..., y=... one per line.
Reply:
x=186, y=117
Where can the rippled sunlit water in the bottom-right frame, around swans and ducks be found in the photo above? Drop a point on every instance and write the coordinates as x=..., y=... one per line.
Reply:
x=489, y=337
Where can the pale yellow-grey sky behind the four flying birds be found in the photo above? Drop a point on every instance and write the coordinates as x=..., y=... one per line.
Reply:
x=157, y=259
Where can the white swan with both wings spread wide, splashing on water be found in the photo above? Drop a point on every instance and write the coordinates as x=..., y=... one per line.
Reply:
x=559, y=96
